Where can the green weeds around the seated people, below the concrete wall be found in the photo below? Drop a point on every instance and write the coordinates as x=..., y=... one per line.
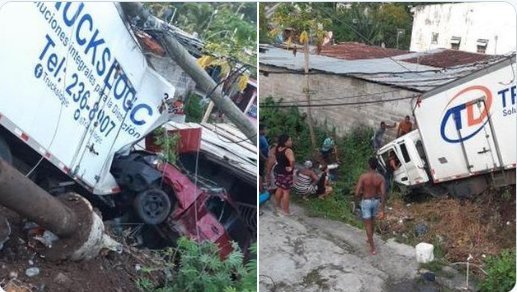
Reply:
x=353, y=149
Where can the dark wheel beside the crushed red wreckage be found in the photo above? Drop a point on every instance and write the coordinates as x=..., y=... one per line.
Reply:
x=152, y=206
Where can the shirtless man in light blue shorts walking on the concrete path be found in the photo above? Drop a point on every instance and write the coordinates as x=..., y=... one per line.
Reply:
x=370, y=189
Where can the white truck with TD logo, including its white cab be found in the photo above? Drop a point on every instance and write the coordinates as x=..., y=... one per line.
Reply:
x=466, y=136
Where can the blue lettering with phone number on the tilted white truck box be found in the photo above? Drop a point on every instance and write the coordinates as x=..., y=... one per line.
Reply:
x=105, y=75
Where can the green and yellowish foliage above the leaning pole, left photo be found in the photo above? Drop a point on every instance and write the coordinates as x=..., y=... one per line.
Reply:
x=228, y=31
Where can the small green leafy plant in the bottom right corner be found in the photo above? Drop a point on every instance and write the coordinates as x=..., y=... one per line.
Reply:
x=501, y=272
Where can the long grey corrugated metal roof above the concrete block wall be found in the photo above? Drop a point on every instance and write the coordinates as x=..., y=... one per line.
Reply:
x=389, y=71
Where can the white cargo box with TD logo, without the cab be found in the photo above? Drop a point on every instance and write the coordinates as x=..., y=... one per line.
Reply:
x=468, y=127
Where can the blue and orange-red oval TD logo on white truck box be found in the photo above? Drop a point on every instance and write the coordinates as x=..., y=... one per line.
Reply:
x=455, y=113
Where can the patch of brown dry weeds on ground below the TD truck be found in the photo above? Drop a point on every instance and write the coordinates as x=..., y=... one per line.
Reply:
x=479, y=227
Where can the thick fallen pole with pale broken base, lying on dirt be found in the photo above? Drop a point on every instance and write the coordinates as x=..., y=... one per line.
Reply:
x=70, y=217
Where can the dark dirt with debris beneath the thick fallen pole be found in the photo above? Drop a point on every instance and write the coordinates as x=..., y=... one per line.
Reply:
x=108, y=272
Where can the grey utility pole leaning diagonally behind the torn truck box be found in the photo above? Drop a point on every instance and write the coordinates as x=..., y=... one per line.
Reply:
x=188, y=63
